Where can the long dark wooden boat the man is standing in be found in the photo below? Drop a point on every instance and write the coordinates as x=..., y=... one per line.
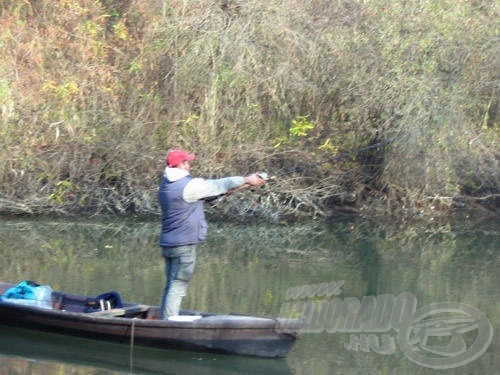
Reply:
x=137, y=324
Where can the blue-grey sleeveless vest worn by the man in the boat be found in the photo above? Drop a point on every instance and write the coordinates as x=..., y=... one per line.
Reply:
x=182, y=223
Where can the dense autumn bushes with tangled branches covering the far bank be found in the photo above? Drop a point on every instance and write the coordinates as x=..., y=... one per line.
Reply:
x=93, y=94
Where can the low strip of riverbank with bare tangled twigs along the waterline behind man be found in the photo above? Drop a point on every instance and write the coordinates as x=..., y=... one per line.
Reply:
x=266, y=206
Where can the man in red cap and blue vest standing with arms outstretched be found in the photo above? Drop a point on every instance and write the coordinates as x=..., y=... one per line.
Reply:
x=183, y=223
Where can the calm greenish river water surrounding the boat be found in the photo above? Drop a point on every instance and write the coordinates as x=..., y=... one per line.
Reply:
x=249, y=269
